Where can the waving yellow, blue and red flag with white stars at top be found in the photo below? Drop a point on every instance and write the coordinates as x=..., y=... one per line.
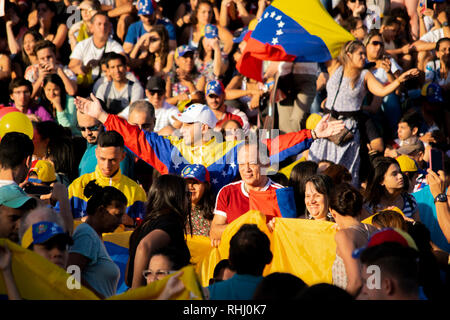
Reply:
x=292, y=30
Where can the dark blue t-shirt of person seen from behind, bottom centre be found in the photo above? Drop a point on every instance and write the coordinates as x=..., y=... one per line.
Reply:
x=238, y=287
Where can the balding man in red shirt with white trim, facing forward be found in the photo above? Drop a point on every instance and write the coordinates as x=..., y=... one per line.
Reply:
x=233, y=199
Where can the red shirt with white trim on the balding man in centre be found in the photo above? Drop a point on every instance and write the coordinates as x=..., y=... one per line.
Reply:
x=233, y=200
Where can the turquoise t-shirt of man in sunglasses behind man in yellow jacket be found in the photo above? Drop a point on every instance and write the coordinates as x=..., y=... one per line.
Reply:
x=88, y=162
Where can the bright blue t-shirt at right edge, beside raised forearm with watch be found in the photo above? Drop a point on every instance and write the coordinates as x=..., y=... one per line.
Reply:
x=427, y=210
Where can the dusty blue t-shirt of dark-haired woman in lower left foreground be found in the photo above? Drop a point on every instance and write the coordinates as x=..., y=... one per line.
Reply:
x=101, y=272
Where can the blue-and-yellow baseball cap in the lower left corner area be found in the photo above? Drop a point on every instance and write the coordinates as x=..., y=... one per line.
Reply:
x=41, y=232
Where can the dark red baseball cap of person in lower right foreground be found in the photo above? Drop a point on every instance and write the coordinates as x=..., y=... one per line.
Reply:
x=387, y=235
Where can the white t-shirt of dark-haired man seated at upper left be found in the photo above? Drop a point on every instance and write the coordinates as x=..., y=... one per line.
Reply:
x=86, y=51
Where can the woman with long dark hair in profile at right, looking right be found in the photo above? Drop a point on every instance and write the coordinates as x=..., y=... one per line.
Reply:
x=386, y=188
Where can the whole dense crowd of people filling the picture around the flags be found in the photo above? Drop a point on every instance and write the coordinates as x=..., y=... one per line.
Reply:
x=142, y=122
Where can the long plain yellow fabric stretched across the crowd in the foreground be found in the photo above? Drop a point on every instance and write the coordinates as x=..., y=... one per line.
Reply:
x=304, y=248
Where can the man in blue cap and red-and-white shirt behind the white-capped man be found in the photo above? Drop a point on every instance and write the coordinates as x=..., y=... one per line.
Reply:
x=215, y=97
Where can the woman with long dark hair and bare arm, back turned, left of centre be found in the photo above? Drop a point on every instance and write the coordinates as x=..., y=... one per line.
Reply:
x=165, y=223
